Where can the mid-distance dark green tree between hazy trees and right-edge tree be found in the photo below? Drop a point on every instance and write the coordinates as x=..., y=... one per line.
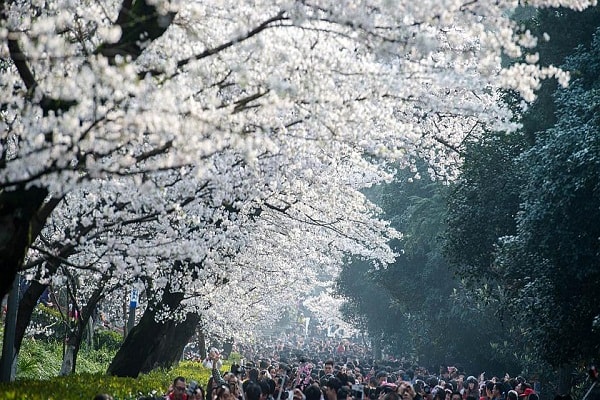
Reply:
x=482, y=206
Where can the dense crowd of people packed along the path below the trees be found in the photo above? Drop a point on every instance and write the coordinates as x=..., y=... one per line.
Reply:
x=307, y=379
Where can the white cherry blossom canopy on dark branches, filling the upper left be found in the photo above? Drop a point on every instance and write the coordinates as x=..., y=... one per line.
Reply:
x=185, y=144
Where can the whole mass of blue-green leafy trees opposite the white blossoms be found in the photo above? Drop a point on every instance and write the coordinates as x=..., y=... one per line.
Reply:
x=499, y=270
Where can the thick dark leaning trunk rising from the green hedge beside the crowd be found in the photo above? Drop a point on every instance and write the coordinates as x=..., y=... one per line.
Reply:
x=152, y=344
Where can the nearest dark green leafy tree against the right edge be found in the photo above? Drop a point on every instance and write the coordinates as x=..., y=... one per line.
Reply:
x=555, y=252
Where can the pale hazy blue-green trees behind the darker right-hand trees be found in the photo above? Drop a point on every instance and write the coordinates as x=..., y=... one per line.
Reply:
x=416, y=304
